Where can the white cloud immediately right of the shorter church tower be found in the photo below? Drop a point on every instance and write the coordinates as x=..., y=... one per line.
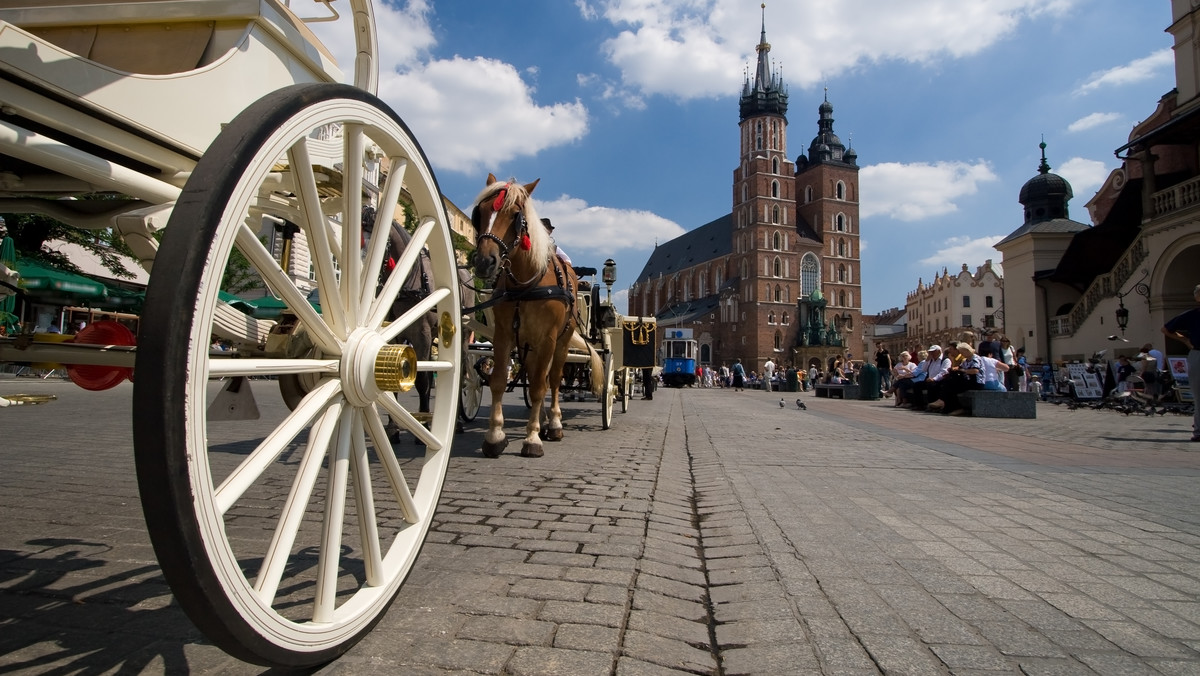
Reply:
x=911, y=193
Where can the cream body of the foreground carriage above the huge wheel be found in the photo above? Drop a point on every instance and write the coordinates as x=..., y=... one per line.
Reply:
x=153, y=81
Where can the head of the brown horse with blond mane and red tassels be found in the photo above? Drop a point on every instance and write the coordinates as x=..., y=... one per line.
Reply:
x=509, y=237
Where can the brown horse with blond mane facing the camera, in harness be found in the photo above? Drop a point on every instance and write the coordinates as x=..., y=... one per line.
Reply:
x=535, y=309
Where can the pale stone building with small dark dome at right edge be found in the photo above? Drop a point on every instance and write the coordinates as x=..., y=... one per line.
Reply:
x=1072, y=288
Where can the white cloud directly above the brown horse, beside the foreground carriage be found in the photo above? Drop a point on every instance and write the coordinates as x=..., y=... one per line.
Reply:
x=469, y=115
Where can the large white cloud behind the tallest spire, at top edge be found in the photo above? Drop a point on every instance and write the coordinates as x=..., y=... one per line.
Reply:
x=697, y=49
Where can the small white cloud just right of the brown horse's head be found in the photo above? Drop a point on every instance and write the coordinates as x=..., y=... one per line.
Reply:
x=580, y=228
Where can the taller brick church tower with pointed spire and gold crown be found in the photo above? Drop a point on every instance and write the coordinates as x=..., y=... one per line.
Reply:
x=764, y=219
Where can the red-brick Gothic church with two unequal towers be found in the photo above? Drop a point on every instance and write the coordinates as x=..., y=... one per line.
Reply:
x=778, y=277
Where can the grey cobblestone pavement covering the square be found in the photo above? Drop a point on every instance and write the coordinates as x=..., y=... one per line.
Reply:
x=709, y=533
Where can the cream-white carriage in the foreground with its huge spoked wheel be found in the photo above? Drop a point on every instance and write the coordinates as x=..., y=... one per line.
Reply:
x=193, y=128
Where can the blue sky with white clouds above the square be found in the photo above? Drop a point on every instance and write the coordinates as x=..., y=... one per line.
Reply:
x=628, y=110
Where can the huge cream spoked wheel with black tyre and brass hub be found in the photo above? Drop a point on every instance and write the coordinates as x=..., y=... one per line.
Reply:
x=287, y=537
